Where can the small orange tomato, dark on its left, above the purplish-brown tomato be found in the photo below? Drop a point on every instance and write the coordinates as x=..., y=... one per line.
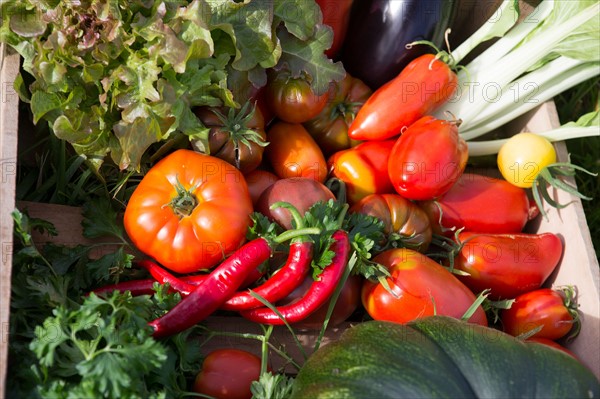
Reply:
x=292, y=152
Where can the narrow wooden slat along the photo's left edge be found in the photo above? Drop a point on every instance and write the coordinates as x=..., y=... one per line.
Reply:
x=9, y=116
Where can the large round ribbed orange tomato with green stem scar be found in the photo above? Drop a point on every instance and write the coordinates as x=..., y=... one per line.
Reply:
x=188, y=211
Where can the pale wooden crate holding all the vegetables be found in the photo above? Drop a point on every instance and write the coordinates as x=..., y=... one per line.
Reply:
x=579, y=265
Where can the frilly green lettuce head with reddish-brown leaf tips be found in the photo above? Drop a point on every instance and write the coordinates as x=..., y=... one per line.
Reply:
x=115, y=78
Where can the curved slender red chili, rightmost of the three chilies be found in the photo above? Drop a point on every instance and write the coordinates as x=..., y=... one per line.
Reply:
x=319, y=292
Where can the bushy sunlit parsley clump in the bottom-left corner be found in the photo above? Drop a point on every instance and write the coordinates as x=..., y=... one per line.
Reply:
x=104, y=345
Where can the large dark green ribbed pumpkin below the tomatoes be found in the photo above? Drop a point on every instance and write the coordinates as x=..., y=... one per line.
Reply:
x=439, y=356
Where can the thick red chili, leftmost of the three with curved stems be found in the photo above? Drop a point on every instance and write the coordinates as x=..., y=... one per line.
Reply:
x=219, y=286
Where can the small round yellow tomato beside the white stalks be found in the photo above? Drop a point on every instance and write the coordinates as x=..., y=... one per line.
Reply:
x=523, y=157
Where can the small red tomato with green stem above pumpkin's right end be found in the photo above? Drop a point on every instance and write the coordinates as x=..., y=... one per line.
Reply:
x=554, y=310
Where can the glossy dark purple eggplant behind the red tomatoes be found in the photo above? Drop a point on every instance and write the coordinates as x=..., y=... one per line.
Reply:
x=379, y=30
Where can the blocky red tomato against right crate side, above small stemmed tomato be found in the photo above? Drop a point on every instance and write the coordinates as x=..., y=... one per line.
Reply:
x=507, y=264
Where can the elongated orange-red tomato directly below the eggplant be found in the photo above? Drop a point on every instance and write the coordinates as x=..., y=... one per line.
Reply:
x=423, y=85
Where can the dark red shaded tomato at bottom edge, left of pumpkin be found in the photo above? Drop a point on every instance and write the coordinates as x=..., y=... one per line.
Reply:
x=228, y=374
